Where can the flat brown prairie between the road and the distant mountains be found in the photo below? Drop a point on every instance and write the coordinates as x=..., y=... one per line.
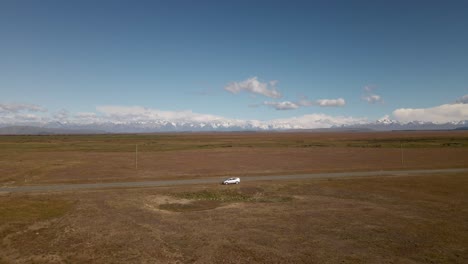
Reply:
x=100, y=158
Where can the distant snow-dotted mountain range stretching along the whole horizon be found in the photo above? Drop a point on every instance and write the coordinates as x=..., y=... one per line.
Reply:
x=166, y=126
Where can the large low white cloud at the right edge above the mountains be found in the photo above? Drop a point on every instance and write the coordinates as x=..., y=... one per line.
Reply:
x=439, y=114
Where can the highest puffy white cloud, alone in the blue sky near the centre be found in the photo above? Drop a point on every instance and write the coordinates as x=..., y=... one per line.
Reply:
x=253, y=85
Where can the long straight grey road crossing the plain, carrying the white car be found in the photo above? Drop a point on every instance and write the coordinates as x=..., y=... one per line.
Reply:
x=90, y=186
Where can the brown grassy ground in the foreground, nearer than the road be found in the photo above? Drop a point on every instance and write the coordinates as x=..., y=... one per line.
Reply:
x=402, y=219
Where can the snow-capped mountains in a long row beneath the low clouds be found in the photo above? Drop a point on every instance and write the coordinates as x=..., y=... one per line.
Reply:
x=160, y=125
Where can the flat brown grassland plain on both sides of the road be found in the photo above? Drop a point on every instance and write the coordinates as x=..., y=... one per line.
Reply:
x=392, y=219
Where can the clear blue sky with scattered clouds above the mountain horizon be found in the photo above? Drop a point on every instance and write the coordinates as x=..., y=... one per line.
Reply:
x=367, y=59
